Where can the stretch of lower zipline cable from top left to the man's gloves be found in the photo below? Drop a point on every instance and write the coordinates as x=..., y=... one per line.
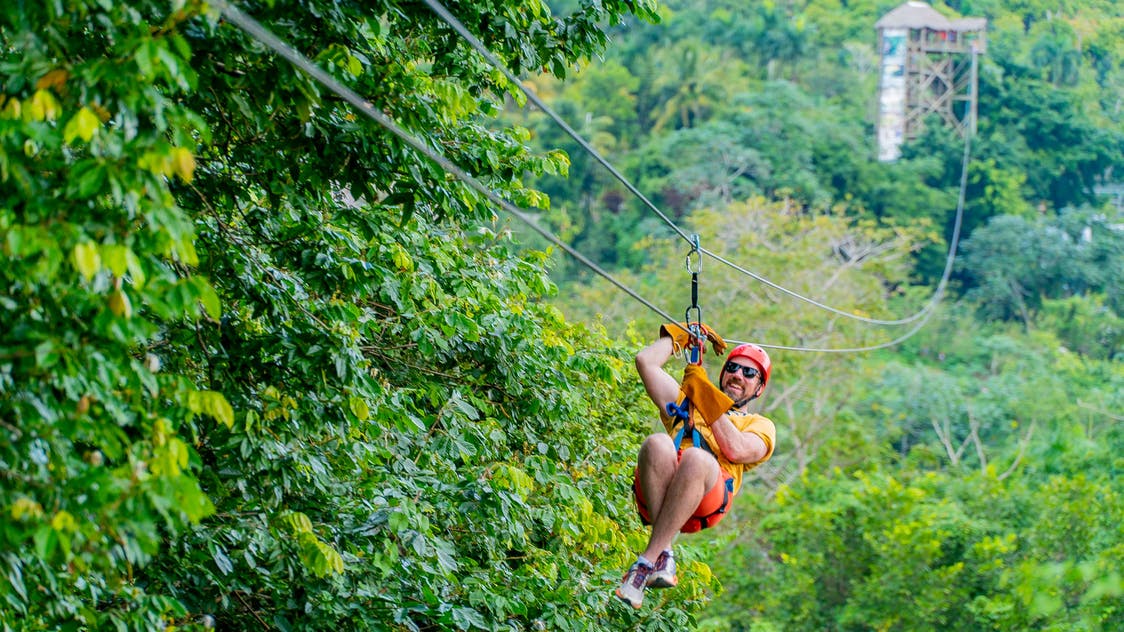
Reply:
x=260, y=33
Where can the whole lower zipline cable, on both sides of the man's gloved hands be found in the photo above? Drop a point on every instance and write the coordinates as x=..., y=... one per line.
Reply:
x=265, y=37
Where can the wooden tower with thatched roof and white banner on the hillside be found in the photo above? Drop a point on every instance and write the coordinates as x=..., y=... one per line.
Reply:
x=929, y=67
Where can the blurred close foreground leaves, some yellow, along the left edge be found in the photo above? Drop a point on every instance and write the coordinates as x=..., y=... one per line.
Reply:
x=101, y=441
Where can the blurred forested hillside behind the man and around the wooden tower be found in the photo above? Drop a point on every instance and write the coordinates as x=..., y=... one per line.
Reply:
x=927, y=482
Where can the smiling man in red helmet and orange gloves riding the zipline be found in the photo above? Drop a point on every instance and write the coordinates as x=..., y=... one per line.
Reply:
x=685, y=484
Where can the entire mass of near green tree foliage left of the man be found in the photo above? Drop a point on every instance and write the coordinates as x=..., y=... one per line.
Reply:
x=264, y=367
